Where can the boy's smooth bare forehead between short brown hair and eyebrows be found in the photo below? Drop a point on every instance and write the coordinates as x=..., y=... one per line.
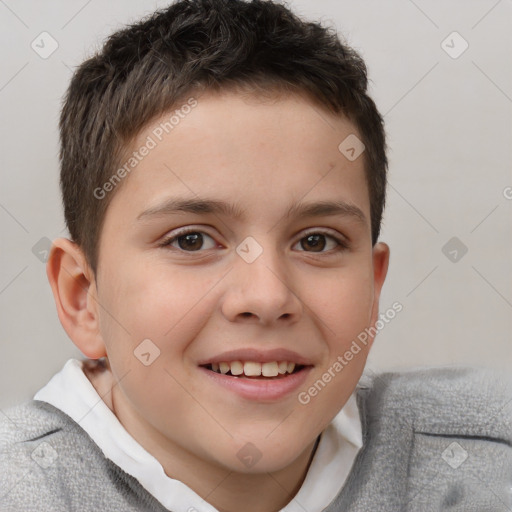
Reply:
x=260, y=155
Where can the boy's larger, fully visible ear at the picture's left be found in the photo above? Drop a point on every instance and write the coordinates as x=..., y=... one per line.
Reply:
x=75, y=293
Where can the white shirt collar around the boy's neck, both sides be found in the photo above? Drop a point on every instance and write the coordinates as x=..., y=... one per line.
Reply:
x=71, y=391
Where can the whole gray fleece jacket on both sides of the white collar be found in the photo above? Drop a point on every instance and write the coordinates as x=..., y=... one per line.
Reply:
x=434, y=439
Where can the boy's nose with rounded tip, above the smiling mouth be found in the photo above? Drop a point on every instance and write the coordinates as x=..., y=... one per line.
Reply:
x=261, y=292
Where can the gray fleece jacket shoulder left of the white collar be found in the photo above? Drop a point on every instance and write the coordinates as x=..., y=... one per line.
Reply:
x=48, y=462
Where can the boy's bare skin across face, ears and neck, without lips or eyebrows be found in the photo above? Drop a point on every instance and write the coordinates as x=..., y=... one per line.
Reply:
x=263, y=156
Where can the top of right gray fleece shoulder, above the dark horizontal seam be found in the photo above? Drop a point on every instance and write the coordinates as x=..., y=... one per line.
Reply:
x=442, y=400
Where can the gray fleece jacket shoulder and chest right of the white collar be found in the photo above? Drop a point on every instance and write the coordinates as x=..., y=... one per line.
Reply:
x=434, y=439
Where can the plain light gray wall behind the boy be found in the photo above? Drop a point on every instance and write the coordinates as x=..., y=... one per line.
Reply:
x=450, y=137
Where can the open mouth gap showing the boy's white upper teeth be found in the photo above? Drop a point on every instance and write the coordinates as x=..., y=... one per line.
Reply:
x=271, y=370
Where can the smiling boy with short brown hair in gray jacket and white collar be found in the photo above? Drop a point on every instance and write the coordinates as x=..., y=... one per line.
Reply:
x=225, y=374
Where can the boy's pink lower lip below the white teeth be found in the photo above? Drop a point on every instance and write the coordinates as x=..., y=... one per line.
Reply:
x=260, y=390
